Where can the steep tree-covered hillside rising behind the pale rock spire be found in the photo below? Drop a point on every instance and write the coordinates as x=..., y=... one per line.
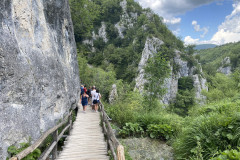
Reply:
x=117, y=34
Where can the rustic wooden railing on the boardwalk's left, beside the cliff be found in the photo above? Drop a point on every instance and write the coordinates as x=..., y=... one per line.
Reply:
x=51, y=148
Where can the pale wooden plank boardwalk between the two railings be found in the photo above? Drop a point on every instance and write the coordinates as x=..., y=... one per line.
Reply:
x=86, y=140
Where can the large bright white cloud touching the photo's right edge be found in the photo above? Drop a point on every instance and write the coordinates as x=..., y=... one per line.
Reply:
x=229, y=30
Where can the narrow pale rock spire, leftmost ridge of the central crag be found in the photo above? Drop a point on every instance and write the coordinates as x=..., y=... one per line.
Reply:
x=151, y=47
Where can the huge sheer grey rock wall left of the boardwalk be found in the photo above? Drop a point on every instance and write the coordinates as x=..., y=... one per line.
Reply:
x=39, y=76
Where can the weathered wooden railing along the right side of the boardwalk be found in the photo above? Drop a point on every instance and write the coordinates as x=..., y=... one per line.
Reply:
x=113, y=142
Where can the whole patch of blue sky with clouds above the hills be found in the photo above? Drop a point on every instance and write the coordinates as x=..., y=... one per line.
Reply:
x=200, y=21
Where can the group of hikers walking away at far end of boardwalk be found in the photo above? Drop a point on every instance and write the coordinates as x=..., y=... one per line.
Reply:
x=90, y=96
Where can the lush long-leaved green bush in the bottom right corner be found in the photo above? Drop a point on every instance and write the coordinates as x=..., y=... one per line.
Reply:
x=213, y=132
